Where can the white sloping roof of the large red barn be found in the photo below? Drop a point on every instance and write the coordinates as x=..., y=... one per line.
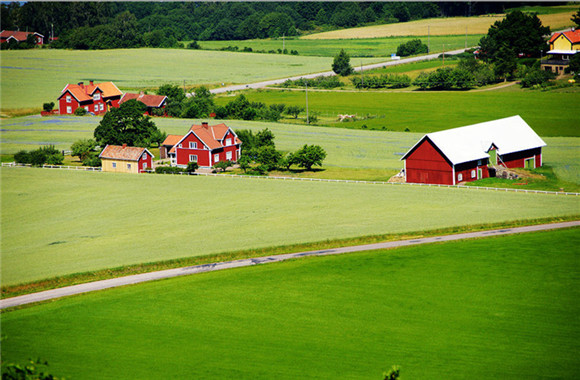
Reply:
x=472, y=142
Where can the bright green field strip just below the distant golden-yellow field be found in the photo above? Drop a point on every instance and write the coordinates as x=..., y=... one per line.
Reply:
x=370, y=47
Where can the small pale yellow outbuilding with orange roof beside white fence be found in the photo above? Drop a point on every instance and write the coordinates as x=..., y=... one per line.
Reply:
x=125, y=159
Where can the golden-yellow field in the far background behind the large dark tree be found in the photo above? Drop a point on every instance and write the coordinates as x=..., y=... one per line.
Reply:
x=441, y=26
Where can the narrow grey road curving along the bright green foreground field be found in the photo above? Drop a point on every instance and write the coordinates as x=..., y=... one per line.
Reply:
x=144, y=277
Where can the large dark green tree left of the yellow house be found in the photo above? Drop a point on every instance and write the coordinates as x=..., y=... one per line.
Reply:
x=521, y=33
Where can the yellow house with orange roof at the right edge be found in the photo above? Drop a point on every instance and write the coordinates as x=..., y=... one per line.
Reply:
x=563, y=46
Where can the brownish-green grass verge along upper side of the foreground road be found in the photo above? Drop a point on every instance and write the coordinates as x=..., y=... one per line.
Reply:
x=79, y=278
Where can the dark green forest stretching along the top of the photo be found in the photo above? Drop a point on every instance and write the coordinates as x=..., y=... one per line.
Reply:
x=100, y=25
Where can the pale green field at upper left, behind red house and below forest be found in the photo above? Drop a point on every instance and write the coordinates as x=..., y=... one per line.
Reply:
x=33, y=77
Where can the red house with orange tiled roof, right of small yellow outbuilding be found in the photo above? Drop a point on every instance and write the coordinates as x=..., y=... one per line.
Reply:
x=204, y=144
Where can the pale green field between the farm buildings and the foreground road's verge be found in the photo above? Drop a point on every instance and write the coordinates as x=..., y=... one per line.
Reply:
x=57, y=222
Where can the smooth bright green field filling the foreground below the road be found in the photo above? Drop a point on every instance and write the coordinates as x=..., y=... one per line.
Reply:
x=504, y=307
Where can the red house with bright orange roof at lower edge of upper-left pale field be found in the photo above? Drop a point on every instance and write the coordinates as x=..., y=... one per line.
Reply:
x=95, y=98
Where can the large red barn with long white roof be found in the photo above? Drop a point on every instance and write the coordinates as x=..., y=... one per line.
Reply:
x=466, y=153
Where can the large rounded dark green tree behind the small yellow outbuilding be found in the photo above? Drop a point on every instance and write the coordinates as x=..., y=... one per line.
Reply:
x=126, y=125
